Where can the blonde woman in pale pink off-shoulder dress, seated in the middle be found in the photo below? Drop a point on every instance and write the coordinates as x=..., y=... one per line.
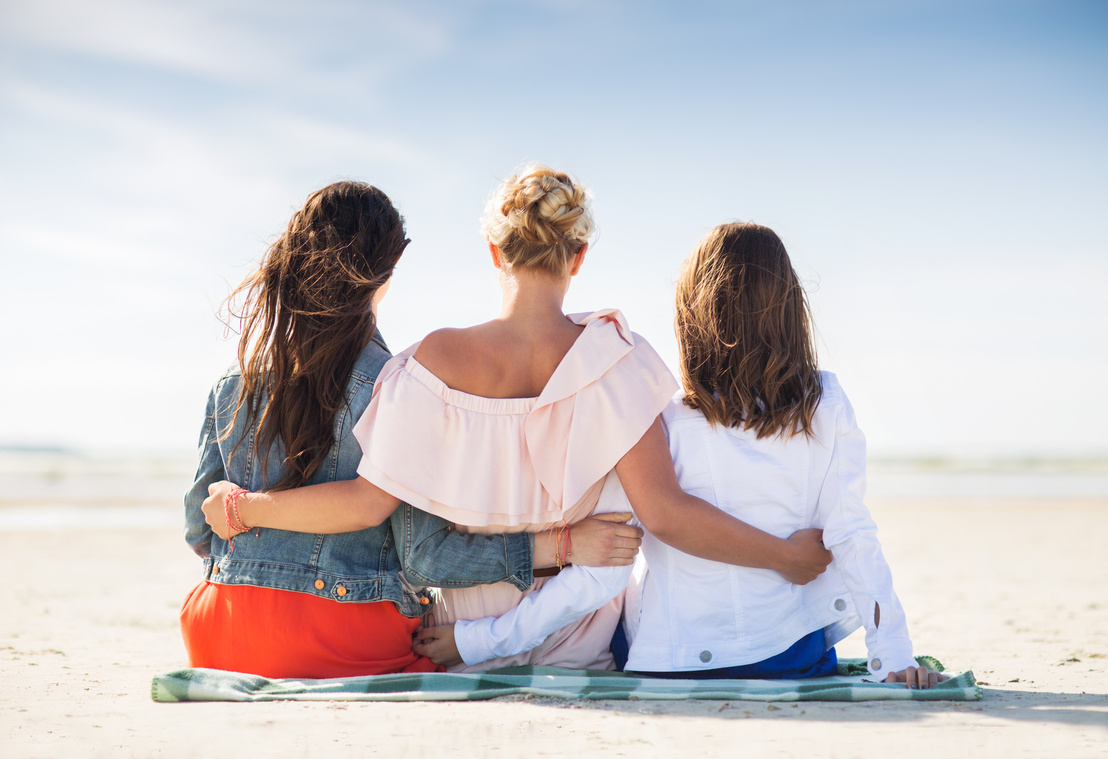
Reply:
x=529, y=423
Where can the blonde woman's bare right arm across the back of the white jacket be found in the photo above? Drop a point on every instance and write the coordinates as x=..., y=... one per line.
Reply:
x=695, y=527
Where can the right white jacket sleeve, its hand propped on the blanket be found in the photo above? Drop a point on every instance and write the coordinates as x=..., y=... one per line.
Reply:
x=851, y=536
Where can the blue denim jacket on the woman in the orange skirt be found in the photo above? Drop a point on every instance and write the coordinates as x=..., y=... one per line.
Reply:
x=393, y=562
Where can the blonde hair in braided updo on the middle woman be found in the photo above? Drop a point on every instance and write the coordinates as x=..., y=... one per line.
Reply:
x=539, y=219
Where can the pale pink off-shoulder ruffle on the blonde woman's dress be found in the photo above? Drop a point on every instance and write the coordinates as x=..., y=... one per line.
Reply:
x=510, y=463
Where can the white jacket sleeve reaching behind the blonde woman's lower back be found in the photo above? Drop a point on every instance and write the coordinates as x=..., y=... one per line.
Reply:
x=566, y=598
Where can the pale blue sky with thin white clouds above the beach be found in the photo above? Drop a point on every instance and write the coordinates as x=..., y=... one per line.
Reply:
x=938, y=171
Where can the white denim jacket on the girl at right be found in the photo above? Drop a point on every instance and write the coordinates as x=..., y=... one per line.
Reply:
x=690, y=613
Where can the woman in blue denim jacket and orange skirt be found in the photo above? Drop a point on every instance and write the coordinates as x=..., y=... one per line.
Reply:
x=285, y=604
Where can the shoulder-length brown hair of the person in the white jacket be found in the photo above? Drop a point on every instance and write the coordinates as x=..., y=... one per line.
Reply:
x=744, y=325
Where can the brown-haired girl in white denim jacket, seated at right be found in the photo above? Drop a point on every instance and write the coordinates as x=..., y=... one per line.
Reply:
x=768, y=438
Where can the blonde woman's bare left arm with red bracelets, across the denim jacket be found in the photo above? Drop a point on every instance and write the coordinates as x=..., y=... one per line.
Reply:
x=329, y=508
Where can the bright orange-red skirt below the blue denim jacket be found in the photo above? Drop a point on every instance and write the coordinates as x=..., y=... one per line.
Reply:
x=272, y=633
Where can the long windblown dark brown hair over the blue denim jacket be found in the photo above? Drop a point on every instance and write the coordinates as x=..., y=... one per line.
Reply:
x=306, y=315
